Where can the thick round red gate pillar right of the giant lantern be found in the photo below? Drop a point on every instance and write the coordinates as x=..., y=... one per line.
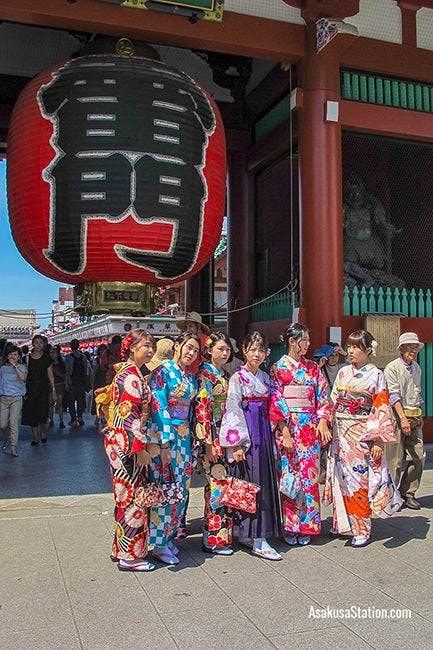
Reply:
x=321, y=191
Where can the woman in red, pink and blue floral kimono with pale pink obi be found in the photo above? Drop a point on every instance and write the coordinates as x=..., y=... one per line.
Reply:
x=300, y=412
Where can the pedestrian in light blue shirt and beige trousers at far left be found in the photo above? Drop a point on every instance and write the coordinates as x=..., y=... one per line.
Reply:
x=13, y=375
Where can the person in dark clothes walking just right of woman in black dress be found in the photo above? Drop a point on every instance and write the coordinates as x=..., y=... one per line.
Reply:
x=77, y=383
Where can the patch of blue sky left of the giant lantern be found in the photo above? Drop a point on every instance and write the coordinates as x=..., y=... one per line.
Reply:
x=21, y=287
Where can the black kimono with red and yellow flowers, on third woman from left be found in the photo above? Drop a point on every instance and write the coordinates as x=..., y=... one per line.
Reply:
x=211, y=399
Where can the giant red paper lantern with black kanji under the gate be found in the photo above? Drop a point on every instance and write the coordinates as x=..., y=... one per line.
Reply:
x=116, y=171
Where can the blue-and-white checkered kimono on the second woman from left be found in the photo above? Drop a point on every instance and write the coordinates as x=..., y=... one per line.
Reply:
x=170, y=422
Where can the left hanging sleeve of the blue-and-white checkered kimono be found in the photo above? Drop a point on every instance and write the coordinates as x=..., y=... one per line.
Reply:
x=160, y=429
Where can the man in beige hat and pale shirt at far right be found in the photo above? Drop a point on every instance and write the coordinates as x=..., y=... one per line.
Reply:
x=404, y=382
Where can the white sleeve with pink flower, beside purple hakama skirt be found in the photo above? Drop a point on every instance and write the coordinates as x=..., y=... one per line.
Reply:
x=234, y=429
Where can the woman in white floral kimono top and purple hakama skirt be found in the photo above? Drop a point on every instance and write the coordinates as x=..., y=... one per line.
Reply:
x=246, y=436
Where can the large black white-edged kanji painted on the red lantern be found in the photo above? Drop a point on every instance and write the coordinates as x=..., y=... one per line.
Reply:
x=130, y=137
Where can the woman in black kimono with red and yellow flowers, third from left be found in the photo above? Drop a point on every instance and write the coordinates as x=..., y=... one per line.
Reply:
x=211, y=399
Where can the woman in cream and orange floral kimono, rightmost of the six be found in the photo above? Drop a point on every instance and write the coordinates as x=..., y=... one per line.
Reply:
x=358, y=481
